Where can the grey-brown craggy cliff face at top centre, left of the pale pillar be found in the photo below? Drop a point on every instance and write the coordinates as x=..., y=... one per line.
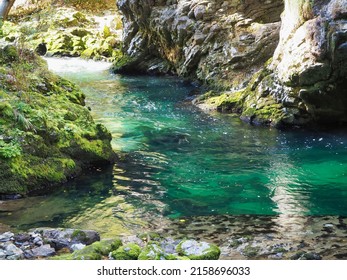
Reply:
x=221, y=43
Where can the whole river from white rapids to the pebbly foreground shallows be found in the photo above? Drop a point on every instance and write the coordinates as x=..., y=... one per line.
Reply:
x=184, y=172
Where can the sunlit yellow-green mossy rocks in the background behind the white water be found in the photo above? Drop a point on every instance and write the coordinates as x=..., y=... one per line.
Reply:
x=66, y=31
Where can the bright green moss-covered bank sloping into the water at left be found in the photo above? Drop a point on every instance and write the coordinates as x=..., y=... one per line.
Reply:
x=47, y=135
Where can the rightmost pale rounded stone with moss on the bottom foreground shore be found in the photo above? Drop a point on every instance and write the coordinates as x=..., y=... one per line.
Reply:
x=196, y=250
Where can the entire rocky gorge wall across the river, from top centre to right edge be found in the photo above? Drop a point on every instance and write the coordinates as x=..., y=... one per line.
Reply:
x=271, y=70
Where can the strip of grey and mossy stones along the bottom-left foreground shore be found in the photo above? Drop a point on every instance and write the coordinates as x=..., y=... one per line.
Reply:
x=72, y=244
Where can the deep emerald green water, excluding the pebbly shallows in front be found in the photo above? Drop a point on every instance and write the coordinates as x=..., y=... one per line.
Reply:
x=179, y=162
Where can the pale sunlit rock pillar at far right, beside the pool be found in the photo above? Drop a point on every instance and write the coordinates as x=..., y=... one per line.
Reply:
x=310, y=63
